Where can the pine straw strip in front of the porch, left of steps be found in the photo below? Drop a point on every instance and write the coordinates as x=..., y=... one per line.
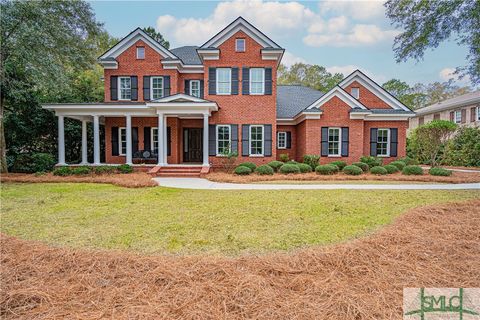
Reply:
x=129, y=180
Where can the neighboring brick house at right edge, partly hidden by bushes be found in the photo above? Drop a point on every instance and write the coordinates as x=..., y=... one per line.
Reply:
x=463, y=110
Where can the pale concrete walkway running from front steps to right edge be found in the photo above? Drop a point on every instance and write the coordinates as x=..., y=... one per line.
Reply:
x=199, y=183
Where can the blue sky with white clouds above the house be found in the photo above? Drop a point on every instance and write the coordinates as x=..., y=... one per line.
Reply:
x=339, y=35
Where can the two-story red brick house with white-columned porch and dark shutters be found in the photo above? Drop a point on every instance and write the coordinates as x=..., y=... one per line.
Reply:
x=189, y=105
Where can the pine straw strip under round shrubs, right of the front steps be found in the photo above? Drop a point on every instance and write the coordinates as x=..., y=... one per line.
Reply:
x=456, y=177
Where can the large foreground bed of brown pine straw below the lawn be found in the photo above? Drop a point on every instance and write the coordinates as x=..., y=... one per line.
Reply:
x=362, y=279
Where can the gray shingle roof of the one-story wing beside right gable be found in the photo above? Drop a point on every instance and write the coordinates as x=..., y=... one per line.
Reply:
x=293, y=99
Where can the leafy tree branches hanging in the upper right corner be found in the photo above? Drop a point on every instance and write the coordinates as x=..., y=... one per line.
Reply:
x=429, y=23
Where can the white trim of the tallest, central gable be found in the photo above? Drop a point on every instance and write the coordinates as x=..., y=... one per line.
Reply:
x=240, y=24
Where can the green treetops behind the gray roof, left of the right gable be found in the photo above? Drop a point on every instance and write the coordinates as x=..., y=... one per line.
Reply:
x=313, y=76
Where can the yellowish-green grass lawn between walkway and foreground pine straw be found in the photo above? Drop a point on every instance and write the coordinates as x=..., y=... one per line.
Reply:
x=159, y=220
